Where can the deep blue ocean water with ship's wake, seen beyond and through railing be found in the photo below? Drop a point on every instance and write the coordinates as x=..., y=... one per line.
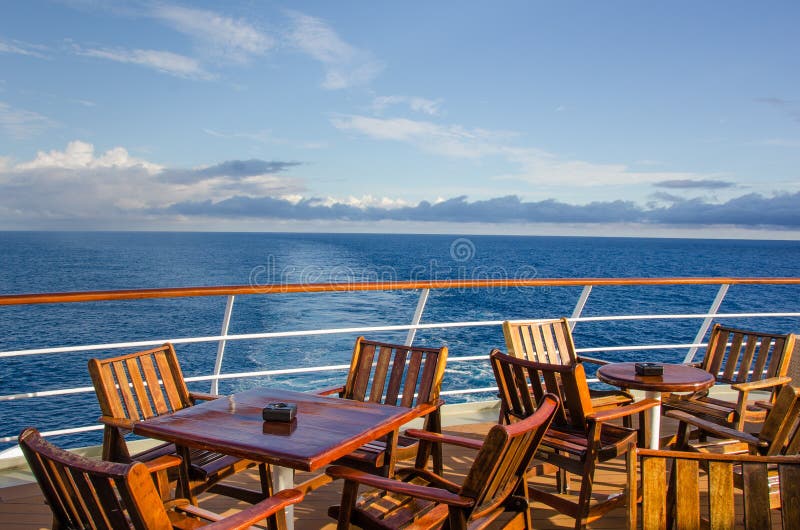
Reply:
x=75, y=261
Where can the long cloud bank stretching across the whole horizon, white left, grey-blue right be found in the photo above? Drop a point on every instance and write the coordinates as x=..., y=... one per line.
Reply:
x=76, y=185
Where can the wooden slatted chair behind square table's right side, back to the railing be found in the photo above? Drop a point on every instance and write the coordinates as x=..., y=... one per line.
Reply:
x=399, y=375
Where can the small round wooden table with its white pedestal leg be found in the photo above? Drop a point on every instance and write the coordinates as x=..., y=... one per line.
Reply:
x=676, y=378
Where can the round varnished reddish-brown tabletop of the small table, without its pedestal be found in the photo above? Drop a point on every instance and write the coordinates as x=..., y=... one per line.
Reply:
x=676, y=378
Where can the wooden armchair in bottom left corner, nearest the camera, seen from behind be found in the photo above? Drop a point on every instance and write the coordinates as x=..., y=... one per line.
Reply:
x=85, y=493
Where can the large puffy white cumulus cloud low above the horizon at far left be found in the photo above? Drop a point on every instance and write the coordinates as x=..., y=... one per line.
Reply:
x=79, y=183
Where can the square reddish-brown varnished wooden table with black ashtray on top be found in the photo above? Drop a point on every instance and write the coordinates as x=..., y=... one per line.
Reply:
x=325, y=429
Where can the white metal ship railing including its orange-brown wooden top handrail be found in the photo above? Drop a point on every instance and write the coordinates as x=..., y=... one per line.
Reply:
x=424, y=287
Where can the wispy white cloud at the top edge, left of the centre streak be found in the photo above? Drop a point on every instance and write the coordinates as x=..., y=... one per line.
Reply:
x=224, y=37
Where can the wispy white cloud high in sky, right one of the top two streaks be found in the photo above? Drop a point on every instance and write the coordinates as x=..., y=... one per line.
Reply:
x=345, y=65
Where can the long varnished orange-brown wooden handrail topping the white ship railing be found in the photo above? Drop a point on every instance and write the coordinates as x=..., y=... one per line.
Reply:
x=181, y=292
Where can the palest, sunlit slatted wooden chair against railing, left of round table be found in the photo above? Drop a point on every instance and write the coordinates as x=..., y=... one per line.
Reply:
x=550, y=342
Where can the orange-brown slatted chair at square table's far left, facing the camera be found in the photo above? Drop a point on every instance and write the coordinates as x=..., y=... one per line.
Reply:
x=147, y=384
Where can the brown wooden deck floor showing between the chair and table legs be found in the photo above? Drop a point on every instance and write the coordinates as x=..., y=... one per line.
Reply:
x=22, y=507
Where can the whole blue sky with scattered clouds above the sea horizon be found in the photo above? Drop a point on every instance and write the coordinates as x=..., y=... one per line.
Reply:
x=665, y=119
